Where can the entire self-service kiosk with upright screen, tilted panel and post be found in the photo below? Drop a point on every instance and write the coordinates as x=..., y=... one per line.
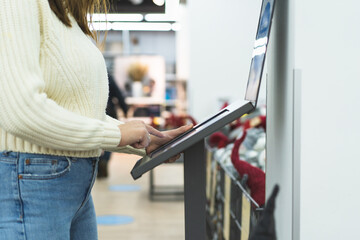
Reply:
x=192, y=142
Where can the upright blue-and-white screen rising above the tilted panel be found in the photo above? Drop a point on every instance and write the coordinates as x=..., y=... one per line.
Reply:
x=259, y=51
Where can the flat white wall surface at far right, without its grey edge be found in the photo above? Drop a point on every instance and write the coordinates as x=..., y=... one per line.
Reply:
x=327, y=51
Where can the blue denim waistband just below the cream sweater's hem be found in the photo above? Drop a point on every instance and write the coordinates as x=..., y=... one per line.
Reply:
x=16, y=155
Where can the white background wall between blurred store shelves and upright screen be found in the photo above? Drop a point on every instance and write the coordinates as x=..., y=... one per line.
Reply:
x=221, y=35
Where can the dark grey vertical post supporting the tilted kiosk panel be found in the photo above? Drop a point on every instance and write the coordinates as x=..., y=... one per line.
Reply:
x=195, y=195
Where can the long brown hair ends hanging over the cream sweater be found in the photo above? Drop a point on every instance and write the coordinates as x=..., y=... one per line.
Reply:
x=79, y=9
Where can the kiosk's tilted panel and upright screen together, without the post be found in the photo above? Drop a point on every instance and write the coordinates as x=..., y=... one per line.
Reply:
x=226, y=115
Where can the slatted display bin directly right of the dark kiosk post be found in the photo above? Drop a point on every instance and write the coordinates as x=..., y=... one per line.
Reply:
x=226, y=192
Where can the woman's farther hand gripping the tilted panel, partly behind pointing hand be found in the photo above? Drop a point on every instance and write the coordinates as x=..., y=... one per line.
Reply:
x=168, y=135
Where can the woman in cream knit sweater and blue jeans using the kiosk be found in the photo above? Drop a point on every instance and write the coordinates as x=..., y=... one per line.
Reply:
x=53, y=127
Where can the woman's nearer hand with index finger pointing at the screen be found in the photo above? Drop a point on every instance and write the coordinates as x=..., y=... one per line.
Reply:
x=137, y=134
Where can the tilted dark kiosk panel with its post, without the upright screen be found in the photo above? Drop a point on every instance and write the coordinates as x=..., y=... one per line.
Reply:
x=193, y=147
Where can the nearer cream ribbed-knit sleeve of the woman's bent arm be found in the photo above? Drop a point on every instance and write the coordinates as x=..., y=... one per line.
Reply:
x=25, y=110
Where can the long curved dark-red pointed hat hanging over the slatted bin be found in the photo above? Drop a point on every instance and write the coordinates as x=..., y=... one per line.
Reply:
x=256, y=177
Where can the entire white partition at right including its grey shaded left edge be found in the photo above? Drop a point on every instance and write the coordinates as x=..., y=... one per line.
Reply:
x=322, y=44
